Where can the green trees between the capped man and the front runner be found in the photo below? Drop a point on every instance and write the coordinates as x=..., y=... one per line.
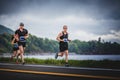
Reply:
x=35, y=44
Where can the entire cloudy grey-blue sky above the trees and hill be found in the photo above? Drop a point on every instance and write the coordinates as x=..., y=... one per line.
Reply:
x=86, y=19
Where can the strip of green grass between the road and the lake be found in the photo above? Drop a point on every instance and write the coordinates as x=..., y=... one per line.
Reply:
x=75, y=63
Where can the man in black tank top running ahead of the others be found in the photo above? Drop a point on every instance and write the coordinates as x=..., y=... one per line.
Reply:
x=63, y=44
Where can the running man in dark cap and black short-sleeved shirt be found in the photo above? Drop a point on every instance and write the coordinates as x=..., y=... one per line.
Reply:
x=22, y=36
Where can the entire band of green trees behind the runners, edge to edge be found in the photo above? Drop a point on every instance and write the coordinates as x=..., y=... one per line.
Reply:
x=38, y=45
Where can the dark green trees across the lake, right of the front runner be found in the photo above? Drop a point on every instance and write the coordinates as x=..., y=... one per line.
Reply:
x=94, y=47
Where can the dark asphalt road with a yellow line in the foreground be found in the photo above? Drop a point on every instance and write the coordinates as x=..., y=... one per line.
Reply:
x=44, y=72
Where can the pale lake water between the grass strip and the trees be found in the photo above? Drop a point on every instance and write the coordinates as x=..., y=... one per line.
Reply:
x=78, y=57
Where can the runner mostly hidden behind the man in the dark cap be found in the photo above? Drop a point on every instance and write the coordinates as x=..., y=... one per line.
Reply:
x=16, y=51
